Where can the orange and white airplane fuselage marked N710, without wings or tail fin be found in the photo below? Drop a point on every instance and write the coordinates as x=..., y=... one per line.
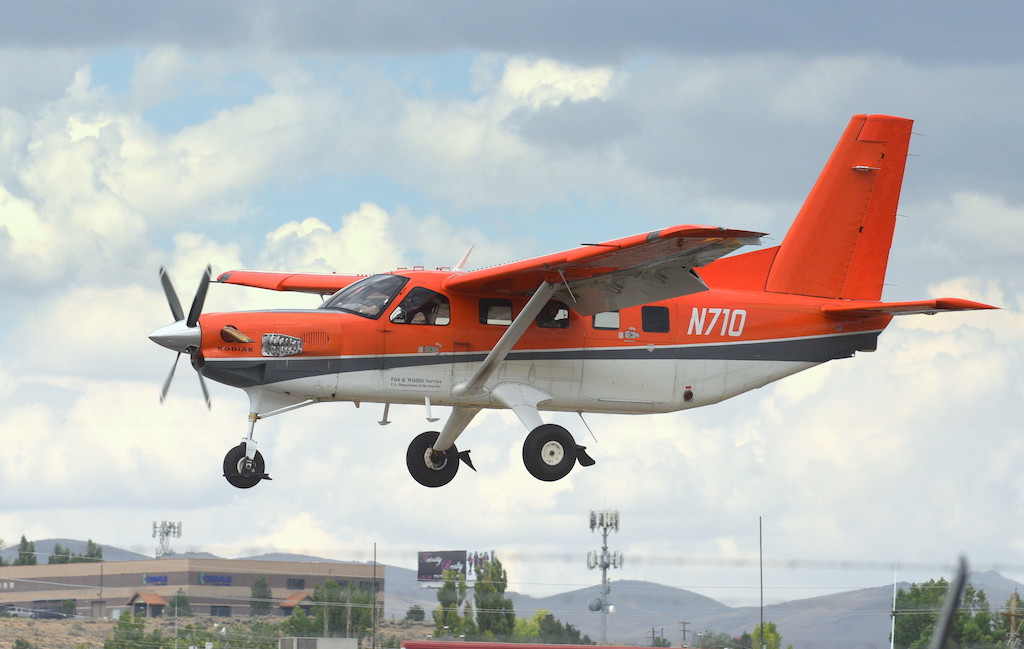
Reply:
x=669, y=356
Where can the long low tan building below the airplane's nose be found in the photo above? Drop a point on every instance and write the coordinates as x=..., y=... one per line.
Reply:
x=215, y=587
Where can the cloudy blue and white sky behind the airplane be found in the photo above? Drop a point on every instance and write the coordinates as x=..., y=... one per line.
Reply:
x=359, y=138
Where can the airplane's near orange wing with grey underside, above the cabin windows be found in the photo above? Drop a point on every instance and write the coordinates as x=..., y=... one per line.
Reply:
x=615, y=275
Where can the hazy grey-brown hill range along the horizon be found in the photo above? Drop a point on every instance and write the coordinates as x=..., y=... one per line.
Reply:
x=861, y=619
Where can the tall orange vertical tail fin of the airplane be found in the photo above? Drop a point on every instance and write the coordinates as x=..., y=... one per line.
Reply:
x=839, y=244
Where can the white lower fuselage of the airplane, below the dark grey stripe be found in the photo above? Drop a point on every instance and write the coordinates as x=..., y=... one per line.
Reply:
x=591, y=381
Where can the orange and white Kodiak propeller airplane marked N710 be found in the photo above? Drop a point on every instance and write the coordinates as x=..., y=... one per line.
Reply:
x=655, y=323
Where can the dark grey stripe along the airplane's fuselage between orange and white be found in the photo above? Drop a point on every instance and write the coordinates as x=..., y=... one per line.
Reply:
x=253, y=372
